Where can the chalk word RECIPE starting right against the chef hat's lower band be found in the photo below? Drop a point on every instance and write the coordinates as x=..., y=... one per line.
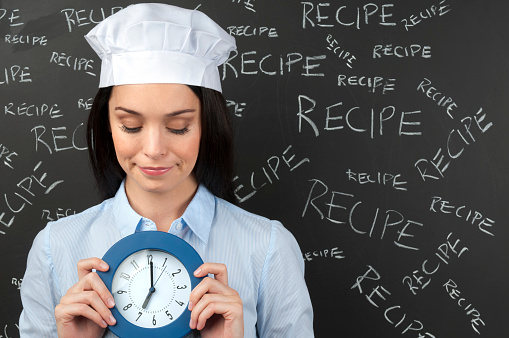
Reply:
x=252, y=64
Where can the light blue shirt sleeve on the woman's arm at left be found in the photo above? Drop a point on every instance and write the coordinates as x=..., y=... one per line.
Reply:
x=39, y=291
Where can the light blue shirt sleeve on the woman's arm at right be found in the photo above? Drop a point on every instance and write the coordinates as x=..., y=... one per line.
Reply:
x=284, y=306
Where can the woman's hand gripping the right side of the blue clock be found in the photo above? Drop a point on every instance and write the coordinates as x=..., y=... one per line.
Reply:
x=216, y=309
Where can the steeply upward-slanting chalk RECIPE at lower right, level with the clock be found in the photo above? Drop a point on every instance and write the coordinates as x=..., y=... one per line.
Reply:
x=420, y=279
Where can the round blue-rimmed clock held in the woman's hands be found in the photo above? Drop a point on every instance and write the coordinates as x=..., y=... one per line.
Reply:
x=151, y=278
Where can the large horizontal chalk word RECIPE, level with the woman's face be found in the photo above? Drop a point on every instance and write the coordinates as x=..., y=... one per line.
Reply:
x=337, y=117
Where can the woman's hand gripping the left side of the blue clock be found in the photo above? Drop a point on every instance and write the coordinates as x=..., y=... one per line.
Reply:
x=84, y=310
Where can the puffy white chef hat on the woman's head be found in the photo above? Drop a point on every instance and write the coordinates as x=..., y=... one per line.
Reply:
x=159, y=43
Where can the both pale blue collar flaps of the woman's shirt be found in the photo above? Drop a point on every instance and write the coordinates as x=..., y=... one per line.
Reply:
x=198, y=215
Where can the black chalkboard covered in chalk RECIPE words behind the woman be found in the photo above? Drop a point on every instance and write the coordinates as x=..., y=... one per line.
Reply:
x=375, y=131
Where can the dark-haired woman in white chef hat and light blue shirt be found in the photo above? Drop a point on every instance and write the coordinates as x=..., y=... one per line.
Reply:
x=160, y=143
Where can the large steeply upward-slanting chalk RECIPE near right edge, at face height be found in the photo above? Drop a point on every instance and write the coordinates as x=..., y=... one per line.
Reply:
x=441, y=162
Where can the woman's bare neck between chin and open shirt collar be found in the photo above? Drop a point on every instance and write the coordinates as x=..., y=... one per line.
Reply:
x=161, y=207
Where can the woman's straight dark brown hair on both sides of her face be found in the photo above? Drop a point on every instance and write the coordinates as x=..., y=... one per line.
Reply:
x=214, y=167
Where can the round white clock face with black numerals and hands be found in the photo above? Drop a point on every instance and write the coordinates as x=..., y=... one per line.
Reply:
x=151, y=288
